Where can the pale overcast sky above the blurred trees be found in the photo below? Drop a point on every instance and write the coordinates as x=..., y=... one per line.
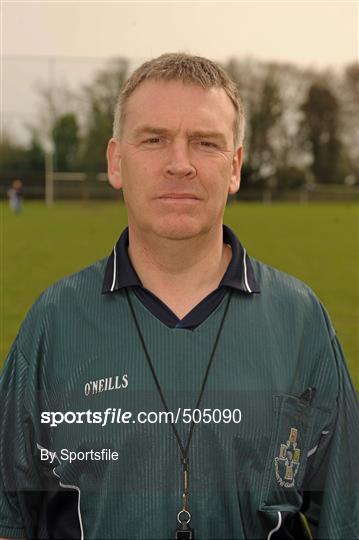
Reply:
x=317, y=34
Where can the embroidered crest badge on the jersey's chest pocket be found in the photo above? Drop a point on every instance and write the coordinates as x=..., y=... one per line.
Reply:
x=287, y=463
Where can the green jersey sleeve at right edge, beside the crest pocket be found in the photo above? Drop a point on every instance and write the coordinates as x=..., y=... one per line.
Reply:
x=332, y=484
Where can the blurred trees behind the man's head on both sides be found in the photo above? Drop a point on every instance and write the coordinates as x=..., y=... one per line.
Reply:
x=302, y=125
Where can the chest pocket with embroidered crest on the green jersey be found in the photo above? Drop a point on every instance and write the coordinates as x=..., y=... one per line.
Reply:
x=287, y=454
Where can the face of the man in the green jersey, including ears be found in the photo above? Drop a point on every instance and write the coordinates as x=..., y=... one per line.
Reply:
x=176, y=161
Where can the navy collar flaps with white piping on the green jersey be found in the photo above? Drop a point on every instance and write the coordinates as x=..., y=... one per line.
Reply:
x=239, y=275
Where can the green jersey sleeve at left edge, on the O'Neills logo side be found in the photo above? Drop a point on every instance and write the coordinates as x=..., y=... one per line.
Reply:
x=13, y=445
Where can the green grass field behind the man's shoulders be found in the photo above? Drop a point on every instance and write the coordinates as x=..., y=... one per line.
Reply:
x=318, y=243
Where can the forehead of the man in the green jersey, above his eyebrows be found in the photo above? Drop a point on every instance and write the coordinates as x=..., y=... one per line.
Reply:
x=174, y=103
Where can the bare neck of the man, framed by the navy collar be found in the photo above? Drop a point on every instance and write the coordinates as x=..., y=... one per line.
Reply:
x=179, y=272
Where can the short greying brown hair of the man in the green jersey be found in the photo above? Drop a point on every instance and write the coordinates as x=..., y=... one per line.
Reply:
x=188, y=69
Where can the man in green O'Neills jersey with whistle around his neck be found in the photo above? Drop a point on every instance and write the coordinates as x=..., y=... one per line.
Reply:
x=203, y=394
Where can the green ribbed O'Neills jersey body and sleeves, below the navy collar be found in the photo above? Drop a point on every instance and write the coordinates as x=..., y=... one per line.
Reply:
x=86, y=448
